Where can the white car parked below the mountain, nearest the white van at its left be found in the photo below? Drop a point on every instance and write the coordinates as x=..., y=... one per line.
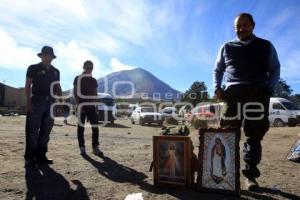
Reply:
x=143, y=115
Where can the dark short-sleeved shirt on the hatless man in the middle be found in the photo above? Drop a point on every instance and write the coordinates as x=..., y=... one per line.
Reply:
x=86, y=86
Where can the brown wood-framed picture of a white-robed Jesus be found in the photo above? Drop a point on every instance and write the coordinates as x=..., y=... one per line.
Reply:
x=171, y=159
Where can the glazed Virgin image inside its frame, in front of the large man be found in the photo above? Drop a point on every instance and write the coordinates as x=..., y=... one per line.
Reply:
x=219, y=161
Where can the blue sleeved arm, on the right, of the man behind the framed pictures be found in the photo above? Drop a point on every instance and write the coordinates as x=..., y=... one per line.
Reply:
x=274, y=69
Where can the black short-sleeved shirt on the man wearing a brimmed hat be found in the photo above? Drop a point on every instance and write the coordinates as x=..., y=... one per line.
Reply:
x=42, y=78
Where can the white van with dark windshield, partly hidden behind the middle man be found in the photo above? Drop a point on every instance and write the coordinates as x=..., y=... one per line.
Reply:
x=106, y=108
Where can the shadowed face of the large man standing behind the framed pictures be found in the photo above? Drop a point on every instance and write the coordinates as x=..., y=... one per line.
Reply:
x=243, y=28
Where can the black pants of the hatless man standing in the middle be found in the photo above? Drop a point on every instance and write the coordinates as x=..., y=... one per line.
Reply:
x=88, y=112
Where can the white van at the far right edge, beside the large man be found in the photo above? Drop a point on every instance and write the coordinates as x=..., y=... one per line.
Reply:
x=283, y=112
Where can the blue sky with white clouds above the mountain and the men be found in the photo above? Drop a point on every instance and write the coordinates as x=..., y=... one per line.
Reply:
x=176, y=40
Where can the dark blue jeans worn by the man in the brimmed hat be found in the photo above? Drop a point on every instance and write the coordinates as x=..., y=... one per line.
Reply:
x=39, y=124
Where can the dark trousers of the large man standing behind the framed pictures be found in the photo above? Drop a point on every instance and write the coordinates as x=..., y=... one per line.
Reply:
x=247, y=106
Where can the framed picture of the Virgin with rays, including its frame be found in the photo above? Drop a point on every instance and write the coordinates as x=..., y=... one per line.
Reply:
x=219, y=161
